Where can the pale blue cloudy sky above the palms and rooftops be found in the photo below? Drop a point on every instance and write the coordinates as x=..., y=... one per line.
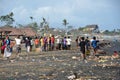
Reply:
x=105, y=13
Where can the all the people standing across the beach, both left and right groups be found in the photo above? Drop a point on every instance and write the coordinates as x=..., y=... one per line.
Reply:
x=45, y=43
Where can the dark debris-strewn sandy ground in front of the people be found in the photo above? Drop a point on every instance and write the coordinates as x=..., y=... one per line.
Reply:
x=58, y=65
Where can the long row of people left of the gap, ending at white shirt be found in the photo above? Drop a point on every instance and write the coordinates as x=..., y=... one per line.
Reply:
x=44, y=43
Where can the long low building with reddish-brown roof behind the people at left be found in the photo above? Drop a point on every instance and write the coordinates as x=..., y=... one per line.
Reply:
x=13, y=32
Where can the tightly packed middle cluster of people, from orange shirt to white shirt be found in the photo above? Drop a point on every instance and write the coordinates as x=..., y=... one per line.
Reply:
x=52, y=43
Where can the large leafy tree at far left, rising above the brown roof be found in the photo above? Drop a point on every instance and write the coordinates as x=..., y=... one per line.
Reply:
x=7, y=19
